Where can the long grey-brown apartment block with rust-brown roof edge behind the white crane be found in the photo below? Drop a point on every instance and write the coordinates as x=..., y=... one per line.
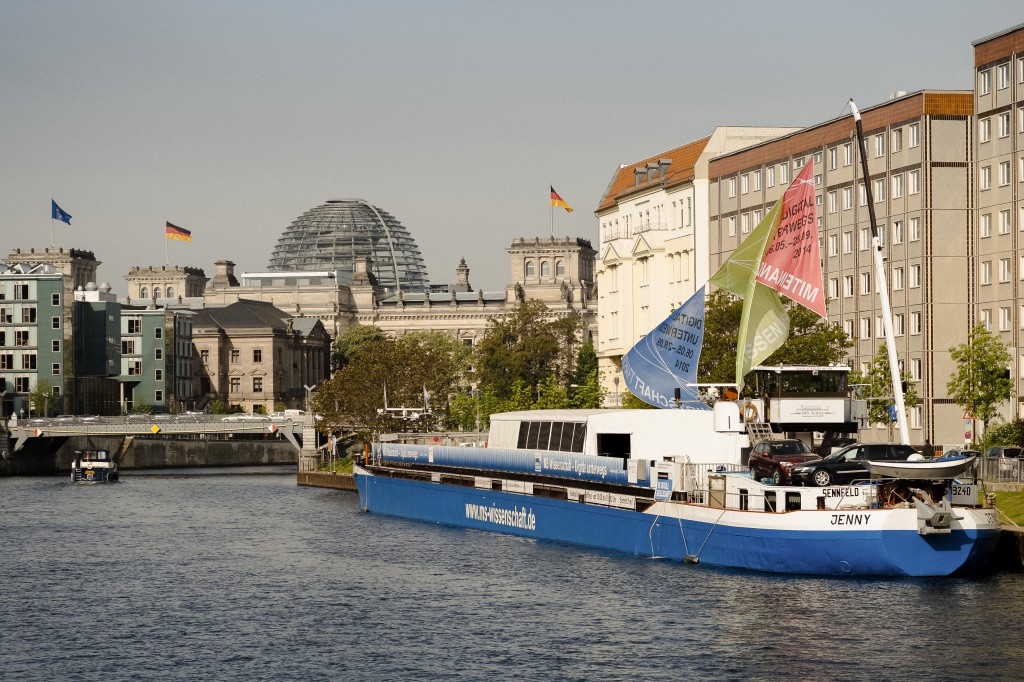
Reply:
x=919, y=159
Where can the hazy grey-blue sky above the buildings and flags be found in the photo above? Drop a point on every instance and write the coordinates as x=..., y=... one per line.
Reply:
x=233, y=118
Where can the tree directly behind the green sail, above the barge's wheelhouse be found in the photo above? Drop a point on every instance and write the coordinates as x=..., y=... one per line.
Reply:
x=814, y=340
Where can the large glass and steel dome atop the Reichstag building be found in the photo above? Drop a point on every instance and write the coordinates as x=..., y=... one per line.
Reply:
x=334, y=235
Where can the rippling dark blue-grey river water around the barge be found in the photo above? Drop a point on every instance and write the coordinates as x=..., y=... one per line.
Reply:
x=241, y=575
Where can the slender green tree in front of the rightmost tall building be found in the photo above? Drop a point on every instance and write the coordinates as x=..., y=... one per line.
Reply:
x=982, y=381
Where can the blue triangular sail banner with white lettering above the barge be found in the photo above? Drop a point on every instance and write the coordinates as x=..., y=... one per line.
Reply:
x=667, y=359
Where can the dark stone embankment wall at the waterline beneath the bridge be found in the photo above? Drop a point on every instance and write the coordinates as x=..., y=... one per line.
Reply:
x=45, y=457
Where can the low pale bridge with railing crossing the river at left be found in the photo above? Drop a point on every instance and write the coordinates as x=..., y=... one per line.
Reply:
x=148, y=425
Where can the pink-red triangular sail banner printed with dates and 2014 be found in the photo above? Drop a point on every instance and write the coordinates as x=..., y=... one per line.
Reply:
x=792, y=265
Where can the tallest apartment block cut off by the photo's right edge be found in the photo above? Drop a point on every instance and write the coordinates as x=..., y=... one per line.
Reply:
x=996, y=244
